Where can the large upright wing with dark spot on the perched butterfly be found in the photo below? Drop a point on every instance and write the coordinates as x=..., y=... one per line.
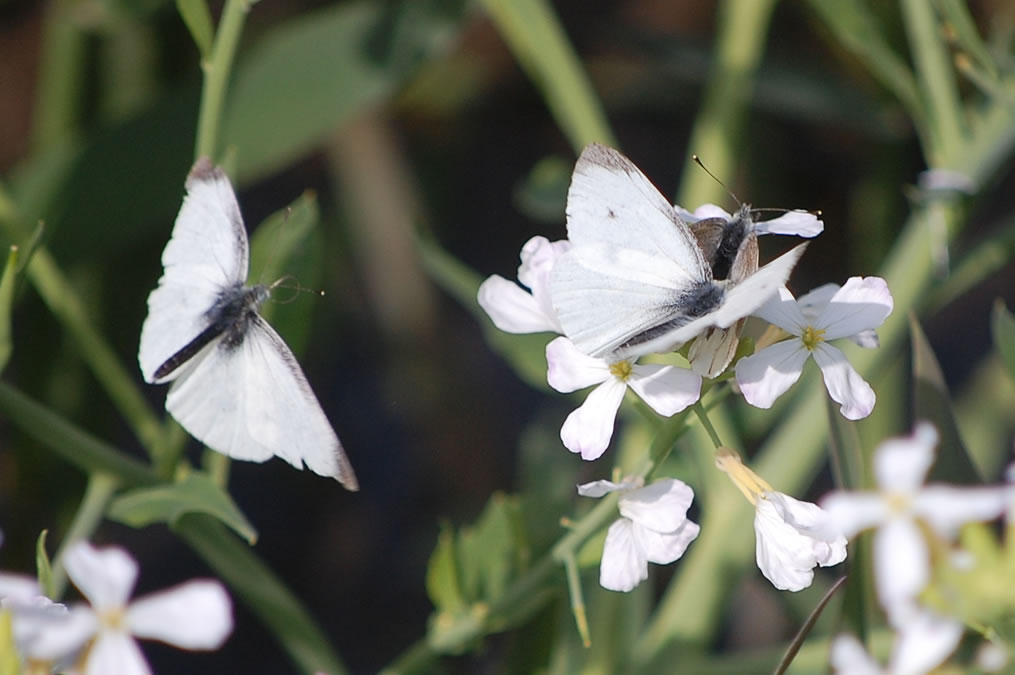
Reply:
x=633, y=262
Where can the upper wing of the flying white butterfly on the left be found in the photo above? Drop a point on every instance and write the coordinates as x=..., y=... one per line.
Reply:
x=207, y=254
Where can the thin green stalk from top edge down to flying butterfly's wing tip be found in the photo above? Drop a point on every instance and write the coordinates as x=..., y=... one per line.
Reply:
x=217, y=78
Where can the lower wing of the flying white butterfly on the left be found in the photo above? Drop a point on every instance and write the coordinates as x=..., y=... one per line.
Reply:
x=252, y=401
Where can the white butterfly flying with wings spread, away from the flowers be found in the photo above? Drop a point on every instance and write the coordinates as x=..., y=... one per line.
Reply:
x=236, y=385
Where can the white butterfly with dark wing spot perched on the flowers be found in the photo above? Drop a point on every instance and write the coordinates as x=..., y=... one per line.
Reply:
x=636, y=281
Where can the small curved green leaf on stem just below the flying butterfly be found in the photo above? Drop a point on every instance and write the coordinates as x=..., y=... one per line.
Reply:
x=196, y=494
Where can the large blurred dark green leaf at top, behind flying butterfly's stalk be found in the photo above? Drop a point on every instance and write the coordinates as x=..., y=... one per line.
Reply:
x=311, y=75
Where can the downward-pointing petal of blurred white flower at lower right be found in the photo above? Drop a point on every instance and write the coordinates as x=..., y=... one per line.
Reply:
x=902, y=565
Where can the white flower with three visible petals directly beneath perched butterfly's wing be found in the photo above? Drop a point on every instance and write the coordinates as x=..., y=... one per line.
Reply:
x=588, y=431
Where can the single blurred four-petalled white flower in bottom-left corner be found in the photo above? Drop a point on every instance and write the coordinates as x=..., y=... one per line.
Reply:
x=195, y=616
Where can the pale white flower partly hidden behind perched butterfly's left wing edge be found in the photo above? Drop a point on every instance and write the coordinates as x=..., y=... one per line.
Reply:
x=510, y=307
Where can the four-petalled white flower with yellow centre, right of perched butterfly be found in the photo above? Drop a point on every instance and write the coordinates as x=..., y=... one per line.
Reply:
x=856, y=309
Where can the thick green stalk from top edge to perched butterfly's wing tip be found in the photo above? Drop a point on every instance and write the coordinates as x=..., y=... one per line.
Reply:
x=535, y=36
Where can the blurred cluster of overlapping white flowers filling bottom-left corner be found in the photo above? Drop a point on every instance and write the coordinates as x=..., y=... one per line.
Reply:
x=99, y=638
